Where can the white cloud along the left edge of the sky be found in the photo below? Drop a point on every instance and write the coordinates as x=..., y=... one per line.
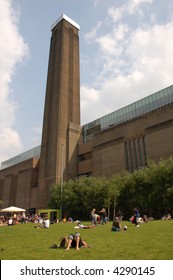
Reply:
x=12, y=51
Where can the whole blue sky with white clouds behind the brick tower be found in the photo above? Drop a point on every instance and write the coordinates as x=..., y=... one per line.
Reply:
x=125, y=55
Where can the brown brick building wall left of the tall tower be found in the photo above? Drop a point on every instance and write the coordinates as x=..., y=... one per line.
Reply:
x=19, y=185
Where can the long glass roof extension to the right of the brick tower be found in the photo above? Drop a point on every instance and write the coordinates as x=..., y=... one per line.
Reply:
x=129, y=112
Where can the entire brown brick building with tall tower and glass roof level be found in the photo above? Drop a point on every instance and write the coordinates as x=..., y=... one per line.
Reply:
x=122, y=140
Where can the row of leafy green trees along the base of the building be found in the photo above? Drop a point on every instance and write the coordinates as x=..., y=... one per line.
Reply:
x=150, y=189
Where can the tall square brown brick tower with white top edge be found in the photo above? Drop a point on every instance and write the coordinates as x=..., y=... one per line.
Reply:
x=61, y=123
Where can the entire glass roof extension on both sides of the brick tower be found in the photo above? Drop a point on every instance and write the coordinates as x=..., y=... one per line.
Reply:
x=131, y=111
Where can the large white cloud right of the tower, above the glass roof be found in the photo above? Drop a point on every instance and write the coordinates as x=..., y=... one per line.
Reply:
x=133, y=63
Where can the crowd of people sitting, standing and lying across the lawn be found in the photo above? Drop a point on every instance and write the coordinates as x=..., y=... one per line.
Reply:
x=75, y=240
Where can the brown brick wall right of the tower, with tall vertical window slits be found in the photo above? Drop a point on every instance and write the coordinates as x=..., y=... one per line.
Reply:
x=128, y=146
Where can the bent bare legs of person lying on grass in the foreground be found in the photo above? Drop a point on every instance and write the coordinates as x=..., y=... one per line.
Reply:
x=75, y=241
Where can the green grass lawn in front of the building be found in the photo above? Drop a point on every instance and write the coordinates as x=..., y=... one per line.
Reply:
x=151, y=241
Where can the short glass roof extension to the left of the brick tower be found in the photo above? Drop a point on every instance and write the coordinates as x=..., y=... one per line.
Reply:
x=35, y=152
